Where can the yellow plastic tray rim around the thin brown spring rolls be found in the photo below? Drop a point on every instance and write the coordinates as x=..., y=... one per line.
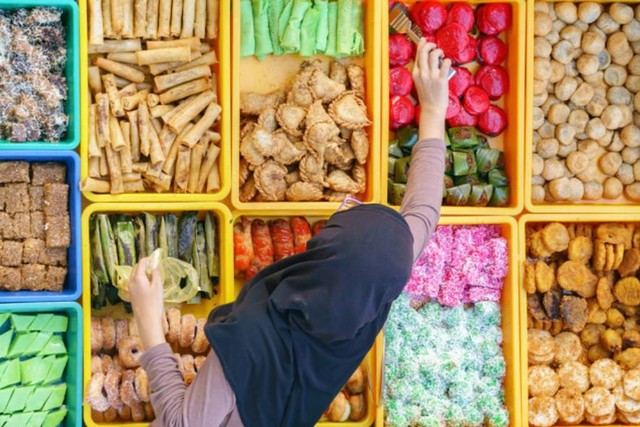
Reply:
x=222, y=46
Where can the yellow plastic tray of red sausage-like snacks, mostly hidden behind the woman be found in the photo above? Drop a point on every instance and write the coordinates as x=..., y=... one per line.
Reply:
x=371, y=360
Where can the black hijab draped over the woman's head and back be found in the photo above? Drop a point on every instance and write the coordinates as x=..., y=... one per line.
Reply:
x=300, y=328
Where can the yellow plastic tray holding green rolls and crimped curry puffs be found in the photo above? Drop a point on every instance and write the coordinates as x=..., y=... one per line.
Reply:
x=274, y=72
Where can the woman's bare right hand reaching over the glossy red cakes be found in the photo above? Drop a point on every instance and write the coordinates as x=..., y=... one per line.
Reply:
x=432, y=85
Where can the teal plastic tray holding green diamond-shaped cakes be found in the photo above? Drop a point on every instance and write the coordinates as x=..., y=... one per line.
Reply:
x=73, y=341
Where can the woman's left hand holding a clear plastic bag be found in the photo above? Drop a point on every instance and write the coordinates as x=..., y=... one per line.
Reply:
x=148, y=304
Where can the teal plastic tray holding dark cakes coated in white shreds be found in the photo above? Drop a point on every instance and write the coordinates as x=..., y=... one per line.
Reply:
x=70, y=21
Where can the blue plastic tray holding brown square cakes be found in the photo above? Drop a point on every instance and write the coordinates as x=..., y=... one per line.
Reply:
x=73, y=286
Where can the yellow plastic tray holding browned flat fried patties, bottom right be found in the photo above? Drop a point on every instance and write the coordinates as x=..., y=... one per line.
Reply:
x=522, y=243
